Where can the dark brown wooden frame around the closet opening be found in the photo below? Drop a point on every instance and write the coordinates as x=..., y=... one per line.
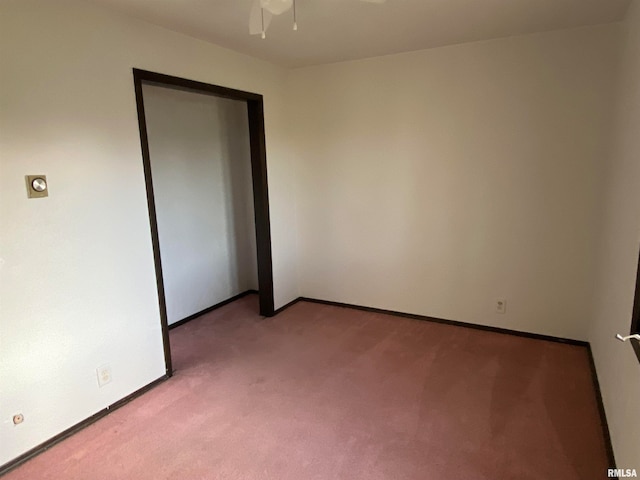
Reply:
x=255, y=109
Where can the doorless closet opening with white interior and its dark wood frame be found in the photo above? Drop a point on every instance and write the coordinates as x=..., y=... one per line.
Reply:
x=204, y=160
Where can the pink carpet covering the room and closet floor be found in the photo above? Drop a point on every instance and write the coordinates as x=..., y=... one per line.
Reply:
x=321, y=392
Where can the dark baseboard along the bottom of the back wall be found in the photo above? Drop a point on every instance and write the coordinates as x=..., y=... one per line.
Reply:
x=447, y=322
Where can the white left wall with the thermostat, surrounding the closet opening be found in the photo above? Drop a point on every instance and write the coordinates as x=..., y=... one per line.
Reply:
x=77, y=284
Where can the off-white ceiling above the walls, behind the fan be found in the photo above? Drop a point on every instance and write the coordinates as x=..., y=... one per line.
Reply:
x=337, y=30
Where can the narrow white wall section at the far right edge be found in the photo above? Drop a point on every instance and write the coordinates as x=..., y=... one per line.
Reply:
x=617, y=366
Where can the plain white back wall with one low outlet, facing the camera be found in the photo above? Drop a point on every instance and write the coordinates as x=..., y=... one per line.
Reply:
x=435, y=182
